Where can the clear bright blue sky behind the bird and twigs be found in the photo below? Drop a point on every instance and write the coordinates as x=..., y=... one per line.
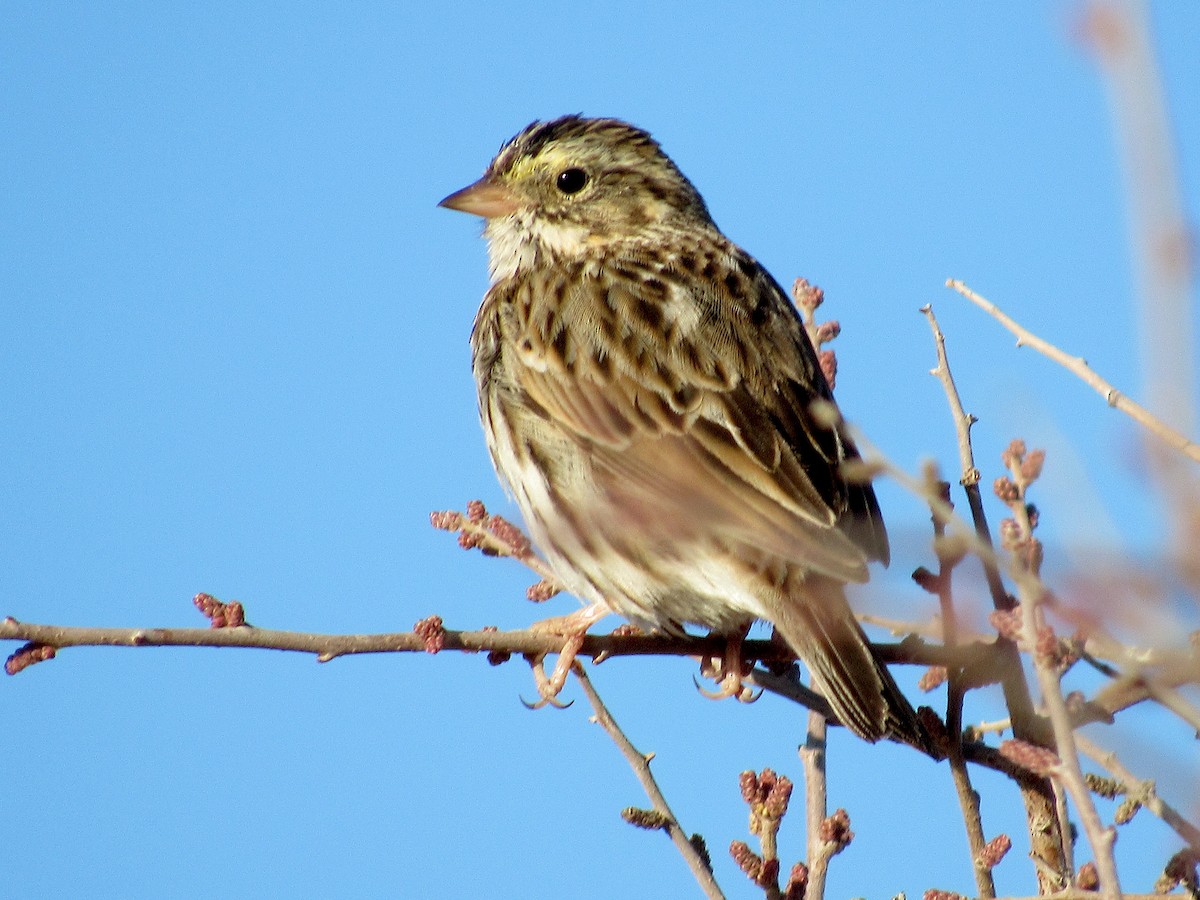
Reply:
x=233, y=358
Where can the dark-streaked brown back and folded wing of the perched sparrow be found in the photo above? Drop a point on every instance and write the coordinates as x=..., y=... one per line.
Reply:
x=697, y=404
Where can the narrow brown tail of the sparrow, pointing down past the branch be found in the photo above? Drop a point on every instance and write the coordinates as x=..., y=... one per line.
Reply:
x=820, y=627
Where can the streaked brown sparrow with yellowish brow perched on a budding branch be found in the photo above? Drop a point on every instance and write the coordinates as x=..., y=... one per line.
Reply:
x=647, y=392
